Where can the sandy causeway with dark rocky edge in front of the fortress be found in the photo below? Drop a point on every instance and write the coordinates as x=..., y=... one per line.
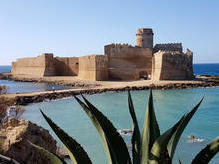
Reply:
x=35, y=97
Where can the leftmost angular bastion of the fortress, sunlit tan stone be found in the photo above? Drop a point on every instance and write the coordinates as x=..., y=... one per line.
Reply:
x=36, y=66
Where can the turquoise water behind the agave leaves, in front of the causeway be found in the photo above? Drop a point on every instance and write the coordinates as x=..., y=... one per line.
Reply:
x=170, y=105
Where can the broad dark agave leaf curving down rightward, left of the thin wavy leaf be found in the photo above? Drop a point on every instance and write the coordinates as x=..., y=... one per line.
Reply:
x=116, y=145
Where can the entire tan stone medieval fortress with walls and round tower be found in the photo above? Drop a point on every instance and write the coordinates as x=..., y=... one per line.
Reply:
x=119, y=62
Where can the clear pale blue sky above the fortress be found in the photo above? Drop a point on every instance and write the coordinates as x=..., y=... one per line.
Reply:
x=76, y=27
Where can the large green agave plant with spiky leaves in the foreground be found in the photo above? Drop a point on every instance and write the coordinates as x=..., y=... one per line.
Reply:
x=150, y=147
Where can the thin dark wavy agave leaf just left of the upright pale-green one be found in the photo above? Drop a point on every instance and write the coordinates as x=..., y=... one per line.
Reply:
x=136, y=137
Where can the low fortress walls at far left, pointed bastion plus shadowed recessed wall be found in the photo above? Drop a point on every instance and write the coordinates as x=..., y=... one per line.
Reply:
x=46, y=65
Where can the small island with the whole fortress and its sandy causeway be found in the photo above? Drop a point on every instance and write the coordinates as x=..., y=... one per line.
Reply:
x=122, y=67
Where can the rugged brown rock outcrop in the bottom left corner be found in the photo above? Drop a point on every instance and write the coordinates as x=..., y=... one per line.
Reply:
x=14, y=142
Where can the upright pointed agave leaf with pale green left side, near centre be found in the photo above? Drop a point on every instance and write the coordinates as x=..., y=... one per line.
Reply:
x=150, y=131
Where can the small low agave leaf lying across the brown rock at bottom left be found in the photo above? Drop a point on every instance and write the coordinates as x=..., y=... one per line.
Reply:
x=53, y=158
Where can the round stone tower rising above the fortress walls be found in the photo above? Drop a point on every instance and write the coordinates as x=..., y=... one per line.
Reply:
x=144, y=38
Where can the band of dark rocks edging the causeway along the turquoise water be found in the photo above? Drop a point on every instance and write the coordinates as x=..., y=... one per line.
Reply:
x=24, y=100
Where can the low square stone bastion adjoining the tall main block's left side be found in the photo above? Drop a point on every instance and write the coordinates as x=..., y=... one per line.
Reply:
x=93, y=67
